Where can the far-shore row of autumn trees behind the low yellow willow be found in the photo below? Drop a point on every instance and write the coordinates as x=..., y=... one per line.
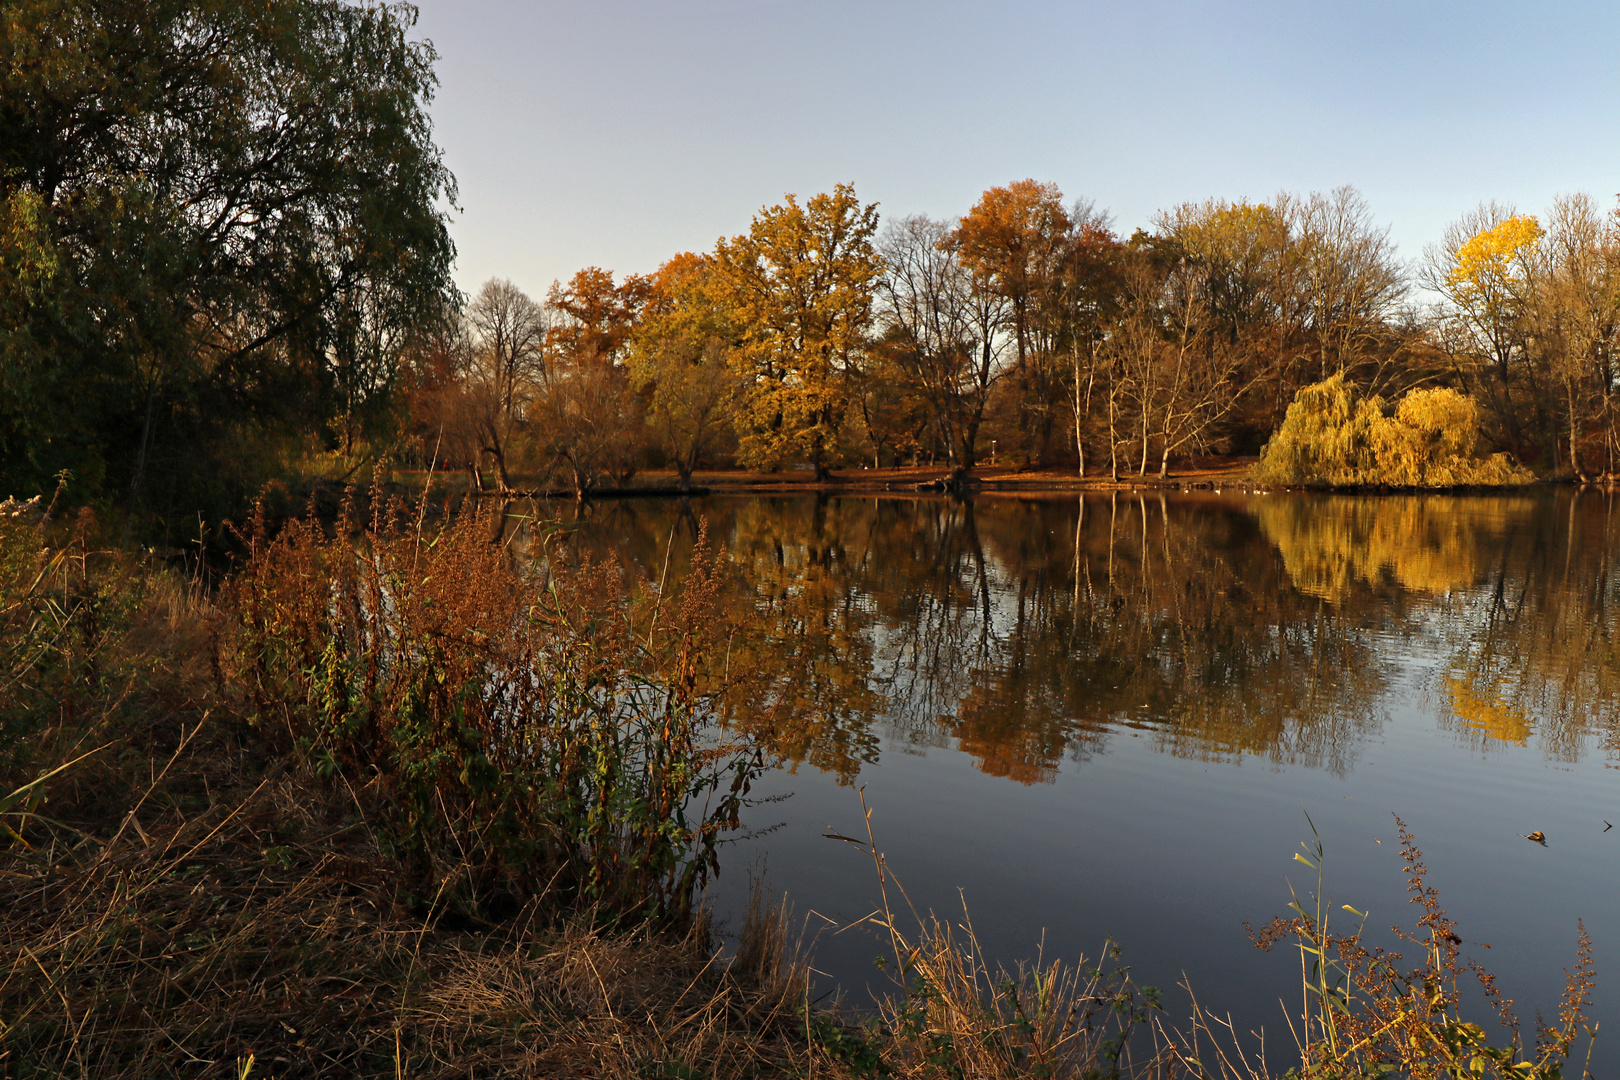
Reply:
x=1030, y=331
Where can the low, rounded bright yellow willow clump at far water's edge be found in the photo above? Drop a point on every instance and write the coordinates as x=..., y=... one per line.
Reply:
x=1332, y=440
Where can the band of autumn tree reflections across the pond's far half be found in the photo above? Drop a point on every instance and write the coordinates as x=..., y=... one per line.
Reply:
x=1033, y=631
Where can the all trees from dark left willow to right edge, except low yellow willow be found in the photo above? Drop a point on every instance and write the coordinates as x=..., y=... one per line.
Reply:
x=224, y=257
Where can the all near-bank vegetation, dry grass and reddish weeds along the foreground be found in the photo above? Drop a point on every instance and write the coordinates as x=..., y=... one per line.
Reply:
x=302, y=822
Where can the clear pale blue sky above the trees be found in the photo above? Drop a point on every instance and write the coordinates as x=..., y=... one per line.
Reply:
x=616, y=134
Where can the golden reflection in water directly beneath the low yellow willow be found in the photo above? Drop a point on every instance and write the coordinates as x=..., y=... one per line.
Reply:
x=1425, y=543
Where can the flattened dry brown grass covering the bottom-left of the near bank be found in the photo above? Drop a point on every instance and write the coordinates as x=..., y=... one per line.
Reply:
x=185, y=945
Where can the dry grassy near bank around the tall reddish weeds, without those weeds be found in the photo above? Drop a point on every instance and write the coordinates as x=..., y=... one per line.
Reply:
x=192, y=893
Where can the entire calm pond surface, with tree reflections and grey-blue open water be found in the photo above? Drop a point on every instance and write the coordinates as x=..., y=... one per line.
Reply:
x=1107, y=718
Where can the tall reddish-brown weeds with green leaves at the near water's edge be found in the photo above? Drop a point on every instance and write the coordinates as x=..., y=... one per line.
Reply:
x=506, y=729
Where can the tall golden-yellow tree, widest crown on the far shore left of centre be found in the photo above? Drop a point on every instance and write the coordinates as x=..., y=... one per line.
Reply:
x=799, y=287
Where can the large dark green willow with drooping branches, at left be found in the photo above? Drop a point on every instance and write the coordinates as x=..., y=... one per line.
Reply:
x=226, y=219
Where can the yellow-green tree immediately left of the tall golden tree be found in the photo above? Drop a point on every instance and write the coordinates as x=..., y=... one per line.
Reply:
x=681, y=360
